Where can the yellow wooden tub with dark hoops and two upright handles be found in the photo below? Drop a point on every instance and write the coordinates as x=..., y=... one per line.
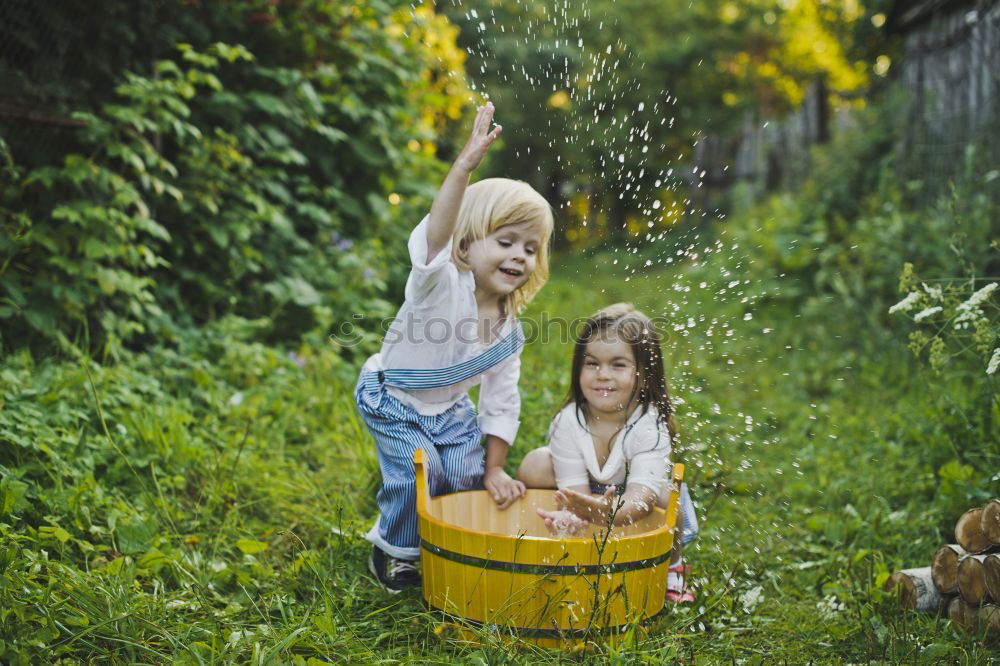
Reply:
x=498, y=568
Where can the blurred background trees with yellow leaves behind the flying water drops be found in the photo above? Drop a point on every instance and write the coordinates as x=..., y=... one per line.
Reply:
x=608, y=101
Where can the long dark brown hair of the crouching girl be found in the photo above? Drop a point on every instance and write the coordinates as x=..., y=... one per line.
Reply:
x=636, y=330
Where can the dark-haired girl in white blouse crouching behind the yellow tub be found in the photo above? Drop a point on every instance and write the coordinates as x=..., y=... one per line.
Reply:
x=614, y=432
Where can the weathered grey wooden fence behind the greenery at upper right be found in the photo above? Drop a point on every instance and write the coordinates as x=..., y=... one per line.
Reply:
x=948, y=124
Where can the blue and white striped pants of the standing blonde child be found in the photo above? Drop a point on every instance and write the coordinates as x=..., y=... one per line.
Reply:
x=454, y=459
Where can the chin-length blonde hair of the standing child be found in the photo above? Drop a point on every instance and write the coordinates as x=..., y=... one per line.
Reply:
x=494, y=203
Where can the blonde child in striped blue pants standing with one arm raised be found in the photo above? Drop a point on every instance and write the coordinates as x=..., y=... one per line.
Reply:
x=477, y=258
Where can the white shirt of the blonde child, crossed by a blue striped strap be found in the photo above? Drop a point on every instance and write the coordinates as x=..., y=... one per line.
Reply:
x=438, y=326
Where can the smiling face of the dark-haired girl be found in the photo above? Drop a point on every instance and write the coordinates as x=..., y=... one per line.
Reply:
x=608, y=375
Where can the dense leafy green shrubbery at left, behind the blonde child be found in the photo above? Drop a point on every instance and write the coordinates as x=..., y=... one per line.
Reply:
x=257, y=168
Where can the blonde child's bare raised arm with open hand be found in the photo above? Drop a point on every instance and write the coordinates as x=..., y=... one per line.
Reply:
x=448, y=200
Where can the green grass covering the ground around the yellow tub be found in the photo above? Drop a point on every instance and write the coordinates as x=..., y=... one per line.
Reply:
x=218, y=516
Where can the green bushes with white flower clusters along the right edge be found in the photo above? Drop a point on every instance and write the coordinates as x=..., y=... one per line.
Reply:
x=829, y=258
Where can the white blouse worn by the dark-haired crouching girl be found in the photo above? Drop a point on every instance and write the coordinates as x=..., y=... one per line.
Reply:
x=642, y=445
